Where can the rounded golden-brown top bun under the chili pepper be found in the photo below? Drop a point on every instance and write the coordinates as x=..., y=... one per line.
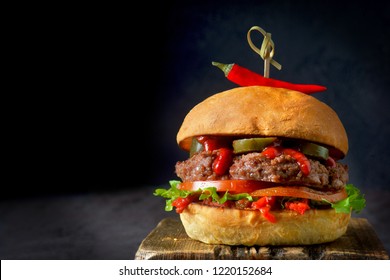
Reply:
x=265, y=111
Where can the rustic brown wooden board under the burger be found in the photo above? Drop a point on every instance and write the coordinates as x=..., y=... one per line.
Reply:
x=169, y=241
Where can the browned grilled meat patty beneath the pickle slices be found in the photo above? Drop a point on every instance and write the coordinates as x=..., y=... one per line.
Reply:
x=282, y=169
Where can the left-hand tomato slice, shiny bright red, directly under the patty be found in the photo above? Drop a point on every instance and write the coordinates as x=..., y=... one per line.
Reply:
x=233, y=186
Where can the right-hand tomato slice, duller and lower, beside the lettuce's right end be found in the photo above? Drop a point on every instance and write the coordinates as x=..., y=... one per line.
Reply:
x=302, y=192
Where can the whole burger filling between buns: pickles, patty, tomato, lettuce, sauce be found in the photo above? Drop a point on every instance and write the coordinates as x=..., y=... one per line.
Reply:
x=261, y=174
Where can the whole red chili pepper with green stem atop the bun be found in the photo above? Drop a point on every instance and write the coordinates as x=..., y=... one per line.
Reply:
x=245, y=77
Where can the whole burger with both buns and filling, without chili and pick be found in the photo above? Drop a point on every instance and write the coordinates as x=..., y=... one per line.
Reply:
x=263, y=169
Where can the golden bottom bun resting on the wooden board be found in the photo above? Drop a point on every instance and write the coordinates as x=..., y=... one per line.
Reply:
x=215, y=225
